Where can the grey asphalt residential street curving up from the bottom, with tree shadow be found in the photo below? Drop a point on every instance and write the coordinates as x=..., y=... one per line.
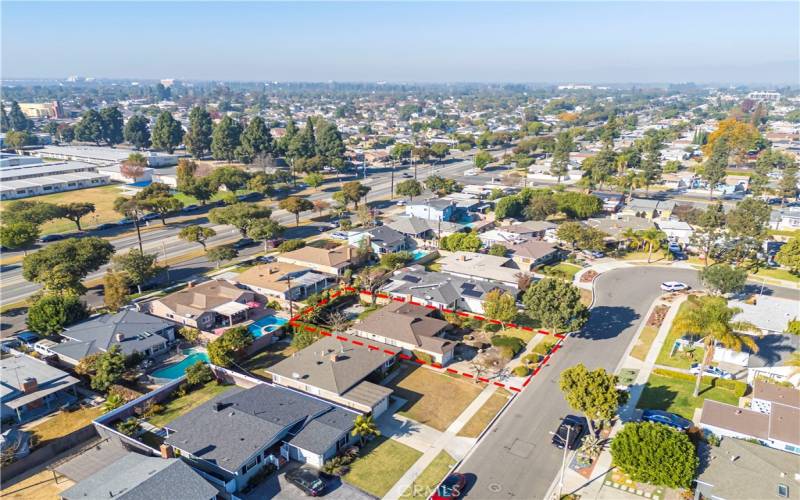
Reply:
x=516, y=459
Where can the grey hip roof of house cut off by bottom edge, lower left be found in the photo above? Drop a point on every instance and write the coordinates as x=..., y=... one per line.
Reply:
x=136, y=476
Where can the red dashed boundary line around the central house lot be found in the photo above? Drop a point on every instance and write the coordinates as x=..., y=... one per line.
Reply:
x=295, y=322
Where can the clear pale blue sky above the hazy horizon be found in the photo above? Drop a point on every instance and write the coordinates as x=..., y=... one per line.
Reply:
x=579, y=42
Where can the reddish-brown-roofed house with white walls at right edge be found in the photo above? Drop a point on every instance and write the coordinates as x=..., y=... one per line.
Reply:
x=772, y=418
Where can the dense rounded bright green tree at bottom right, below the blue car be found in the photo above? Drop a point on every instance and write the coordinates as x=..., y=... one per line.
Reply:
x=655, y=454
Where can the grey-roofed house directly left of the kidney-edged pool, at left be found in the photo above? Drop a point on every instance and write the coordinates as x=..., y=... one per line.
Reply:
x=131, y=330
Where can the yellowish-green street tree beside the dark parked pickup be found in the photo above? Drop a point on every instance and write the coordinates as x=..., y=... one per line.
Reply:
x=593, y=393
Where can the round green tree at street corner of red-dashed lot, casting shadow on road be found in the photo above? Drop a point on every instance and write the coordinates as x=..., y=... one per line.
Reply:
x=556, y=304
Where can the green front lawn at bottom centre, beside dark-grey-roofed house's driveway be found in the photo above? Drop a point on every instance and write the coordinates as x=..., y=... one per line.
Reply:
x=381, y=464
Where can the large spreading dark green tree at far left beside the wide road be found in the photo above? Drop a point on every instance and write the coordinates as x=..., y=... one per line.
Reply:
x=74, y=257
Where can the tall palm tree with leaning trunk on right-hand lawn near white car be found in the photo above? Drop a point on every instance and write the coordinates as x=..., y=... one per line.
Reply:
x=712, y=319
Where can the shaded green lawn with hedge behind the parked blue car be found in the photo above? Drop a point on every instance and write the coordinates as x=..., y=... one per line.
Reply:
x=675, y=395
